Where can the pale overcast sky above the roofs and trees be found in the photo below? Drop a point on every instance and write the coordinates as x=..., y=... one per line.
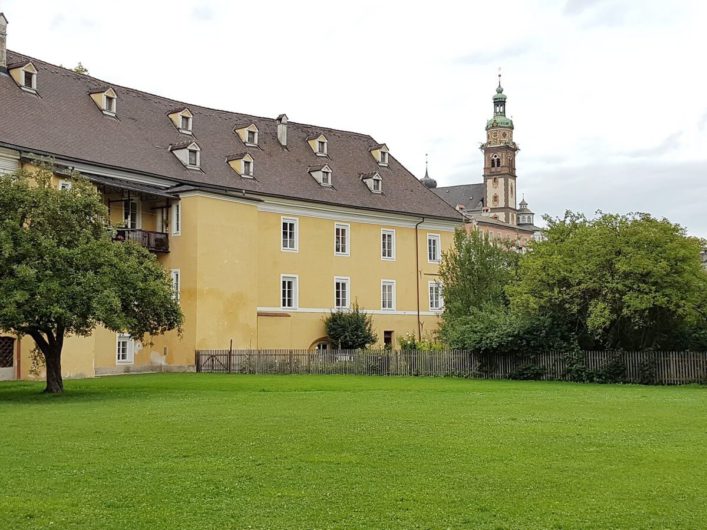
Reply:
x=609, y=97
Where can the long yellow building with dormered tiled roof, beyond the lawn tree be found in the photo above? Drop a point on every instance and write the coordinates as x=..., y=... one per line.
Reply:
x=265, y=225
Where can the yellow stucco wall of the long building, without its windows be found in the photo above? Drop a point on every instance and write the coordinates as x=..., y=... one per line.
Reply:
x=229, y=258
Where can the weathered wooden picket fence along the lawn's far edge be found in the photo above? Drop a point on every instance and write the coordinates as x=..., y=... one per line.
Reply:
x=599, y=366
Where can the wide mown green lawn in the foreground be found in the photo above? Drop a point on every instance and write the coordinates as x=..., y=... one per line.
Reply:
x=226, y=451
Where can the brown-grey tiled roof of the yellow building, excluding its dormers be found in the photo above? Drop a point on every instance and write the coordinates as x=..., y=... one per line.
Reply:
x=63, y=121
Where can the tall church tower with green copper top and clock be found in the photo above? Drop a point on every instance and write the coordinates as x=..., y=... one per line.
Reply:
x=500, y=162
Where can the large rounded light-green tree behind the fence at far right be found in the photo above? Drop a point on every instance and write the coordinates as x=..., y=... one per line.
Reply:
x=616, y=282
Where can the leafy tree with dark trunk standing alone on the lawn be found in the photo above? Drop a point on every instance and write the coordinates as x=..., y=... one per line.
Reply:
x=61, y=274
